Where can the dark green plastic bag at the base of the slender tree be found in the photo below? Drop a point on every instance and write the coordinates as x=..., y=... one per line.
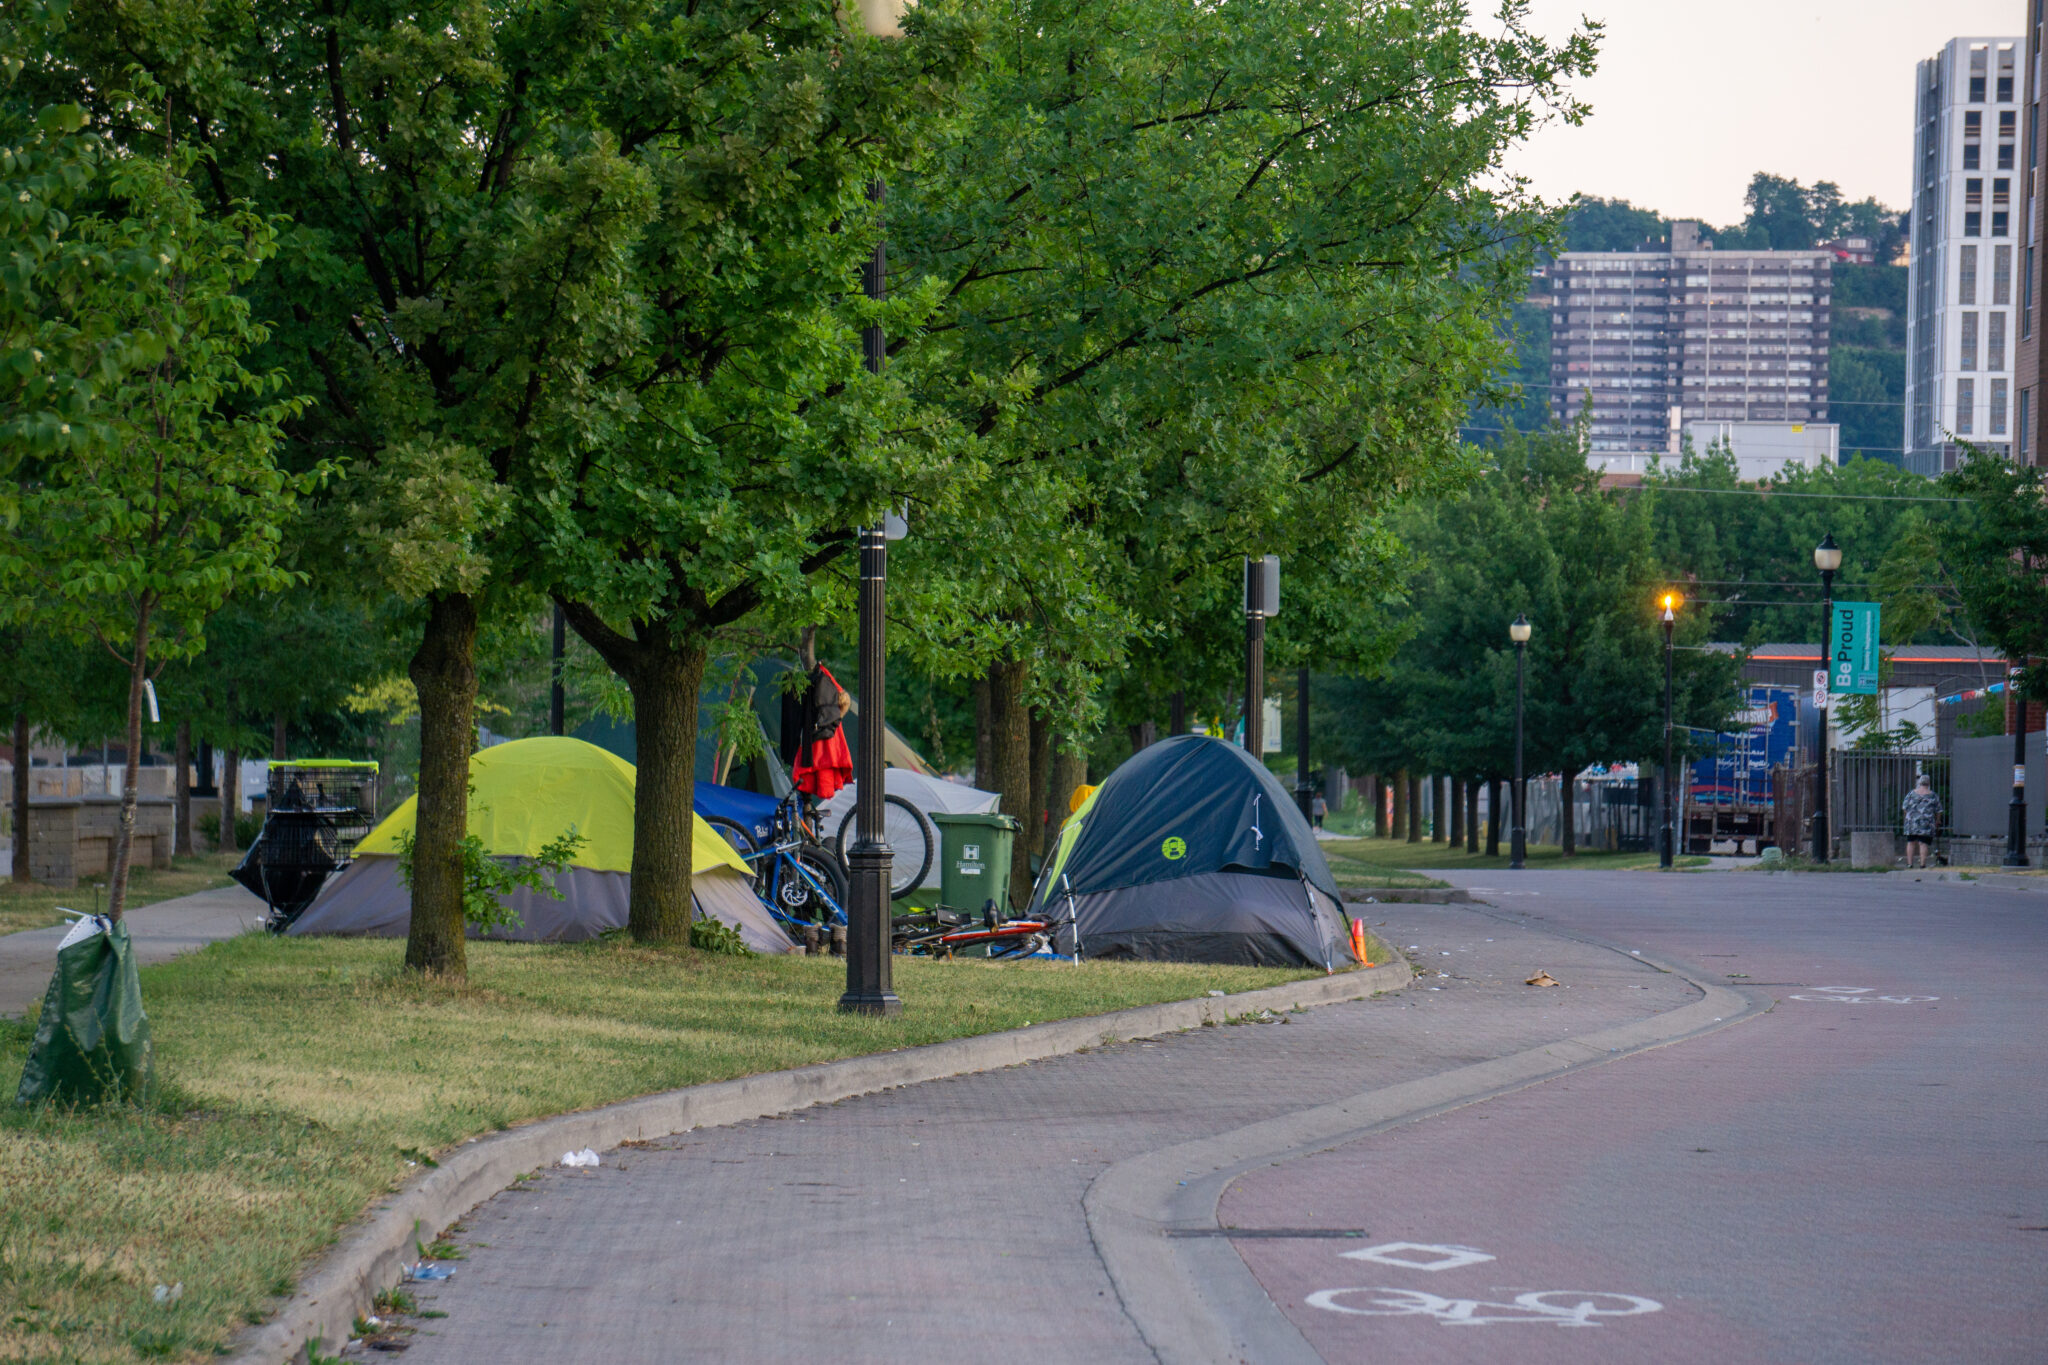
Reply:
x=93, y=1041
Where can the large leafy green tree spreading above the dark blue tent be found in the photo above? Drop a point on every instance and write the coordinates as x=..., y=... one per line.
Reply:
x=1238, y=273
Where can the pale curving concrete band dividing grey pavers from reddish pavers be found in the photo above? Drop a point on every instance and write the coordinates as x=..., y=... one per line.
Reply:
x=1195, y=1301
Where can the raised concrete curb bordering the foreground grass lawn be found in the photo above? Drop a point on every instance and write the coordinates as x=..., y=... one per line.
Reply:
x=376, y=1253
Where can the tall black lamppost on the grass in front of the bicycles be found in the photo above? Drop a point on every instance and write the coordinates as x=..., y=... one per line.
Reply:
x=869, y=989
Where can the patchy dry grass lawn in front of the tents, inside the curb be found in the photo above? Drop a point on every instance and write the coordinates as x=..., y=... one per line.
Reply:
x=302, y=1077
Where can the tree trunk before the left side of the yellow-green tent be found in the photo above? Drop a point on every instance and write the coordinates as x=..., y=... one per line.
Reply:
x=445, y=676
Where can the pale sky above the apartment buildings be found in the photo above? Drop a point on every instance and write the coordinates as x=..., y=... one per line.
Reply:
x=1693, y=99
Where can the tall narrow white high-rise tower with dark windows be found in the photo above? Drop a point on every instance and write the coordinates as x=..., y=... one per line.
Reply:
x=1963, y=281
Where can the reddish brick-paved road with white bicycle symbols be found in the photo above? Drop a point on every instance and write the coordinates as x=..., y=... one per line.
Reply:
x=1846, y=1178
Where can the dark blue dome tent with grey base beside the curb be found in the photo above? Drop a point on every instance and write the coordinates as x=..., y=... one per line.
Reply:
x=1193, y=852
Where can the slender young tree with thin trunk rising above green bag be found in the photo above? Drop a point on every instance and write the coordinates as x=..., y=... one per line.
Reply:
x=136, y=537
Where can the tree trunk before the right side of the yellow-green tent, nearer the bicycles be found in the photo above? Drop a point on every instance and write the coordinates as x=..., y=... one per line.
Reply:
x=667, y=682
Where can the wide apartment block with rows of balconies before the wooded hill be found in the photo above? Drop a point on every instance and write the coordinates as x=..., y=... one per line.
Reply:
x=1680, y=333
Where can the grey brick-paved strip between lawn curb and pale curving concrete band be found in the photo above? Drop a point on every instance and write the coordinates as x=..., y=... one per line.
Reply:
x=945, y=1223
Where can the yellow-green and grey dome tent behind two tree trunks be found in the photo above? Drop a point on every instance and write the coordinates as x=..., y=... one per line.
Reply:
x=521, y=797
